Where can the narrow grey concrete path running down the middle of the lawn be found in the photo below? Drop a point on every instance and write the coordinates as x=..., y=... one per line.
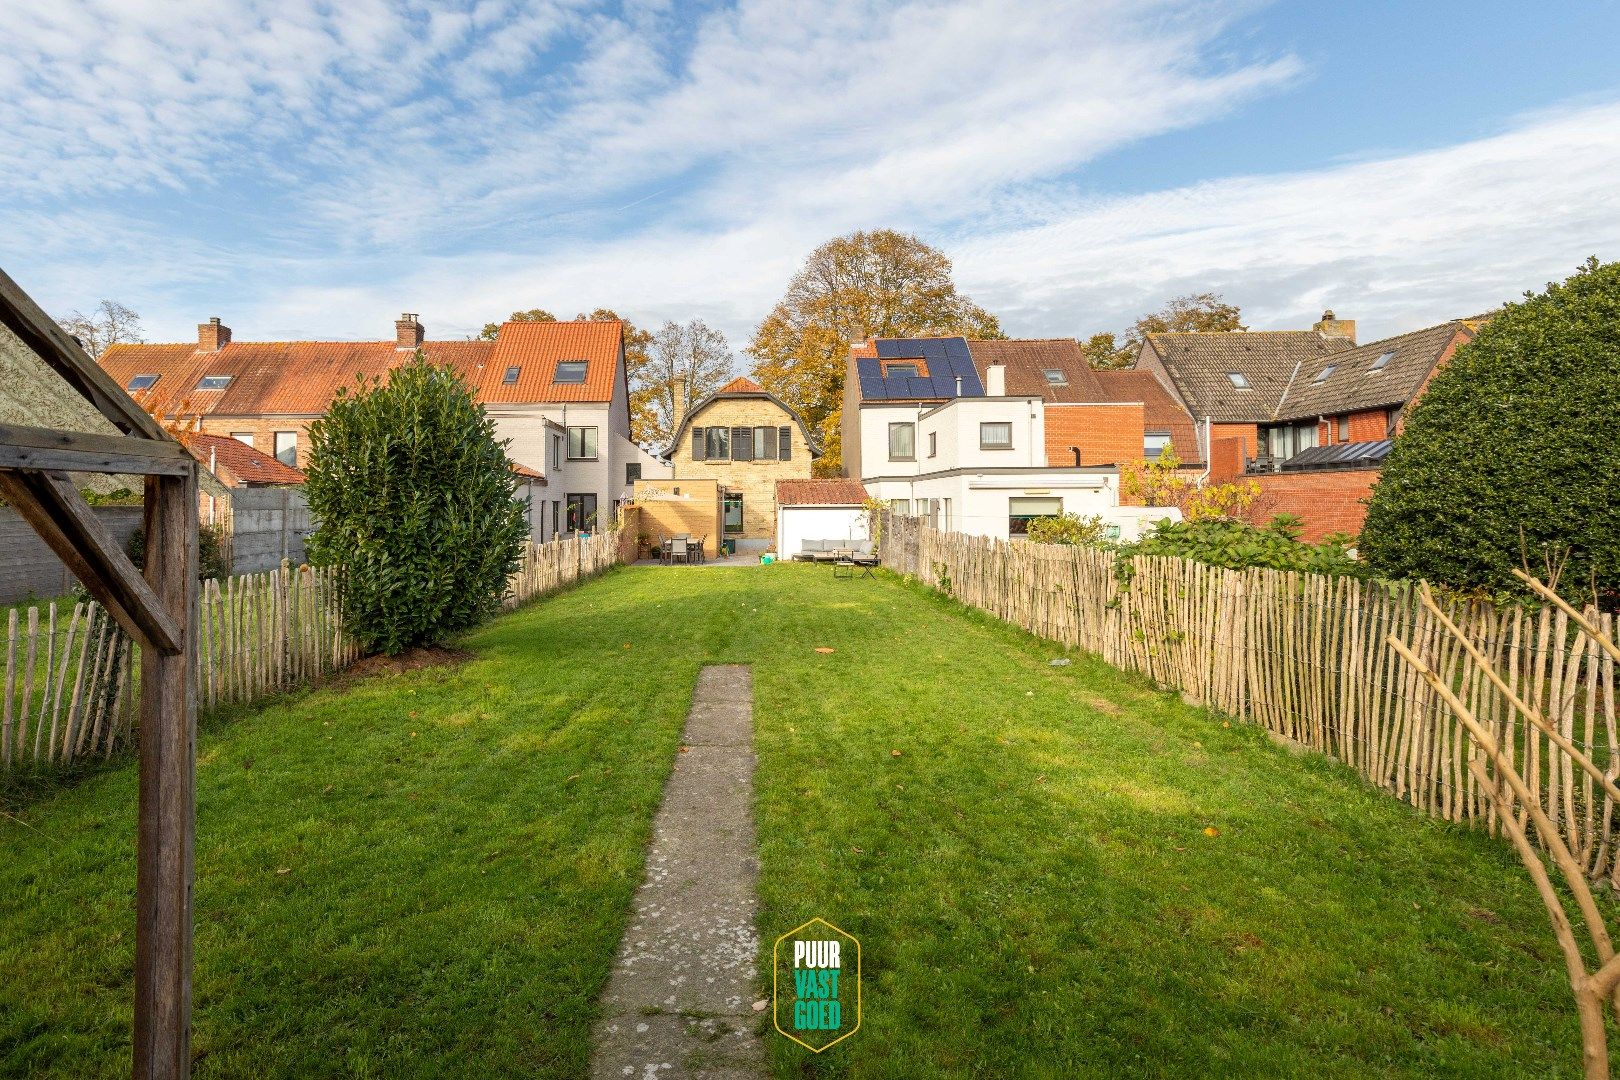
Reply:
x=683, y=992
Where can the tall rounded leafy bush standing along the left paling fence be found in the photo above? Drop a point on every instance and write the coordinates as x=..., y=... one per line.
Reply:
x=416, y=500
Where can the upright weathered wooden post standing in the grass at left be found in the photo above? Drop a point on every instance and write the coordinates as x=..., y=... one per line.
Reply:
x=168, y=806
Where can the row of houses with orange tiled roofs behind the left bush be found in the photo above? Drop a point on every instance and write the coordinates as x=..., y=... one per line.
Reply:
x=556, y=389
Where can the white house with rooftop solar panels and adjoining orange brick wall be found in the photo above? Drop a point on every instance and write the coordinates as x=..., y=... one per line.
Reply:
x=939, y=436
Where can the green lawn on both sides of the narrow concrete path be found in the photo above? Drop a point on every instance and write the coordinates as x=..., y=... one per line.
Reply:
x=1031, y=880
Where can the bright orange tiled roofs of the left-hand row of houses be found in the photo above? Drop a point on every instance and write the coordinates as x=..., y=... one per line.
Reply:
x=302, y=378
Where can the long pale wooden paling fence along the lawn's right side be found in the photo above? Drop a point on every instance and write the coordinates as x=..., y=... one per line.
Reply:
x=1307, y=657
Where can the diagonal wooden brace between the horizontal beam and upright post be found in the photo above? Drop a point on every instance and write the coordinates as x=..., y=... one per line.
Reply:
x=66, y=522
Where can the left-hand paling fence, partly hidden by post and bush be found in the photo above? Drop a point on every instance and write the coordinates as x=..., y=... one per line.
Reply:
x=72, y=673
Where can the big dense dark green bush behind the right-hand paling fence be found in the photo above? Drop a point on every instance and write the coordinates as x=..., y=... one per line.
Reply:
x=1512, y=457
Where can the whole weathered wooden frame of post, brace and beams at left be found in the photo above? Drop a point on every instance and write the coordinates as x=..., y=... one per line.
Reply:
x=161, y=613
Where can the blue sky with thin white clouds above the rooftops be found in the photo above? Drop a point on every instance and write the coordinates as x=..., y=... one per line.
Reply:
x=307, y=169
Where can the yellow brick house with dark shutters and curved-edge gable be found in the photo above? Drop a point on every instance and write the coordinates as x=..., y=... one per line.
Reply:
x=746, y=440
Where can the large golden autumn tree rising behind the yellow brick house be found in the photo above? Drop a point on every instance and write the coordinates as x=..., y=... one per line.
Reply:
x=868, y=284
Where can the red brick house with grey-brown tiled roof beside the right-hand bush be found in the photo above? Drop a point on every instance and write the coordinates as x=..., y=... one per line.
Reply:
x=1307, y=414
